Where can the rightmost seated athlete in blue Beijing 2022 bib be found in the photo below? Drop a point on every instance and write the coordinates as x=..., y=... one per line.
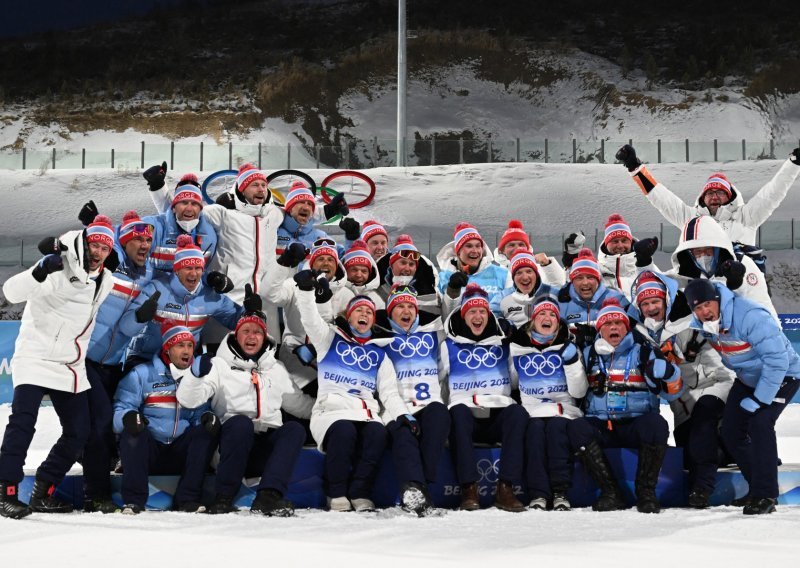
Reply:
x=548, y=371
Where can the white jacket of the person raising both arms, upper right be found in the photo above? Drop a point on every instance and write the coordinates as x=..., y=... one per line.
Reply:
x=739, y=220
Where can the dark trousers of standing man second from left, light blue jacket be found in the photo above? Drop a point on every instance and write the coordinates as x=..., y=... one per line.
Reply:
x=102, y=442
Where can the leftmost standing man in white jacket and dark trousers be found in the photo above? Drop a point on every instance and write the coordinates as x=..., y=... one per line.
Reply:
x=63, y=291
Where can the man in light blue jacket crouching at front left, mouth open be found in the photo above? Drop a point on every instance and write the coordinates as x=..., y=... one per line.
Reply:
x=157, y=435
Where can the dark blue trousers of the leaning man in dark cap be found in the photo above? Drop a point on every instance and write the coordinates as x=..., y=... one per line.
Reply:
x=751, y=439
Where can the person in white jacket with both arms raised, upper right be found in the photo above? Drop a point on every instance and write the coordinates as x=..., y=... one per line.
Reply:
x=718, y=198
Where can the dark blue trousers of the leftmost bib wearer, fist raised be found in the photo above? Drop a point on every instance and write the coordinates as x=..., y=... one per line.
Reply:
x=353, y=451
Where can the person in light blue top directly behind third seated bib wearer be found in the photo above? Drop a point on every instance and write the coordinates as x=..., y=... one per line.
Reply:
x=468, y=260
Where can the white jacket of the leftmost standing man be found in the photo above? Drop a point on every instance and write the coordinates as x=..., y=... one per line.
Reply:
x=58, y=320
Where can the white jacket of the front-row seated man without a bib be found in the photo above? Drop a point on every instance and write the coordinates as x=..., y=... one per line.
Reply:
x=233, y=391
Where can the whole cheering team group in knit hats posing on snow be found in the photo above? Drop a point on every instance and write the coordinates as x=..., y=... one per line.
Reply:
x=232, y=334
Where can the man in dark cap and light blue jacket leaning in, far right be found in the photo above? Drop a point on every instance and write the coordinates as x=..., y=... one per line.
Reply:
x=767, y=369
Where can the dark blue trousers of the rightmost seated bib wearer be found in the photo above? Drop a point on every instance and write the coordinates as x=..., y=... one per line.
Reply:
x=548, y=463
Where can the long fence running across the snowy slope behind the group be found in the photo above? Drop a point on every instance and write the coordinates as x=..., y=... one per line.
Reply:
x=371, y=153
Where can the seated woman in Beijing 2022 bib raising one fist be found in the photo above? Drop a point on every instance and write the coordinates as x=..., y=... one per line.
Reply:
x=354, y=373
